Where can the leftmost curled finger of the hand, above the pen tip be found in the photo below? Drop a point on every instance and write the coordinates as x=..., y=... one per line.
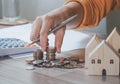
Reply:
x=36, y=27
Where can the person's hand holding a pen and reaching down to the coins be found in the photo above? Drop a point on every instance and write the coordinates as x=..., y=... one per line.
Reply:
x=43, y=24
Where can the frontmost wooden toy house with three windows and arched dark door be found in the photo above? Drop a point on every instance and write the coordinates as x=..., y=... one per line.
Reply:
x=103, y=61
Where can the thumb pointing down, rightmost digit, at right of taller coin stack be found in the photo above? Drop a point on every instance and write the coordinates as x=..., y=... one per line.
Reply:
x=59, y=35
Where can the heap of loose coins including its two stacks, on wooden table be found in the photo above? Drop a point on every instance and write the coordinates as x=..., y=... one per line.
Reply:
x=51, y=61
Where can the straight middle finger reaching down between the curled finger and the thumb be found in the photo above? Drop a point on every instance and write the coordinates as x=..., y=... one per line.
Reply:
x=46, y=26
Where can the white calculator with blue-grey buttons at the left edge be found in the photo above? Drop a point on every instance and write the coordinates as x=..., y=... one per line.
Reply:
x=12, y=46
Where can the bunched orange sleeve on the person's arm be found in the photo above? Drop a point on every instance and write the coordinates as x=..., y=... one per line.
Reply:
x=95, y=10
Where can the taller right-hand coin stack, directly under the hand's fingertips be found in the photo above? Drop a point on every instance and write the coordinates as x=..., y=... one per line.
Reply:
x=50, y=55
